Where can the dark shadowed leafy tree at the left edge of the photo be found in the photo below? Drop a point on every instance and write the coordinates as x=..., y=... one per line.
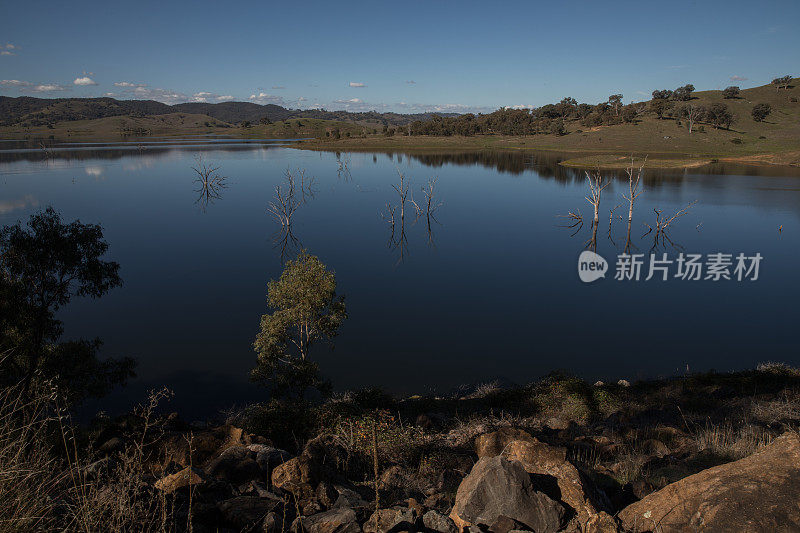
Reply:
x=43, y=265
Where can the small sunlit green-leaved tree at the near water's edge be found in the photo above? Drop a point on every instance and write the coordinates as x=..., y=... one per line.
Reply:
x=306, y=311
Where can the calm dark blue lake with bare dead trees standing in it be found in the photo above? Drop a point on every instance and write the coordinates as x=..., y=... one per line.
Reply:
x=489, y=290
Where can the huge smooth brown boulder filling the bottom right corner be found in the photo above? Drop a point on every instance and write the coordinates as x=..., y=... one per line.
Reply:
x=757, y=493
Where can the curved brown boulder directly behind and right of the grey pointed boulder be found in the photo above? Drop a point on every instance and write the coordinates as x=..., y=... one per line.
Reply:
x=574, y=488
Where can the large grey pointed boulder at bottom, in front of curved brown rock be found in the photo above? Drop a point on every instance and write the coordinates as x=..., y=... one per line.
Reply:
x=497, y=487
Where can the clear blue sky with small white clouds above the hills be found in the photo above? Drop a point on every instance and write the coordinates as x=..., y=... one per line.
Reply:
x=400, y=56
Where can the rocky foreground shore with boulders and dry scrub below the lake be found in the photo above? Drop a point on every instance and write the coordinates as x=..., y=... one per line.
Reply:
x=712, y=452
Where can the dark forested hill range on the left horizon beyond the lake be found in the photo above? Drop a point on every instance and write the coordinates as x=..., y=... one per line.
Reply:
x=28, y=111
